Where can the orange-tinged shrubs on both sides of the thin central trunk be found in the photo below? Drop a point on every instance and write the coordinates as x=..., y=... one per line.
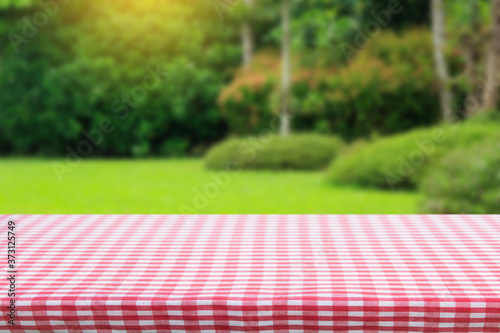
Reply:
x=387, y=88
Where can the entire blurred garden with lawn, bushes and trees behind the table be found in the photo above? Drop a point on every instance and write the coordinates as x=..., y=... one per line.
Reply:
x=249, y=106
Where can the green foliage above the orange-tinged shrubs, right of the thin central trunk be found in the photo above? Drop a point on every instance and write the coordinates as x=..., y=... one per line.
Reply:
x=323, y=25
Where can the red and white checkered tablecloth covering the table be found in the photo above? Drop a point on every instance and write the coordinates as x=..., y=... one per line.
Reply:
x=152, y=273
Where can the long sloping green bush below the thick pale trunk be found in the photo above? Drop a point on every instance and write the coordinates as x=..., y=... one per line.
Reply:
x=400, y=161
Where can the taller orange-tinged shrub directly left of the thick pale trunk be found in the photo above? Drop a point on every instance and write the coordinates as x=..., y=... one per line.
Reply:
x=389, y=87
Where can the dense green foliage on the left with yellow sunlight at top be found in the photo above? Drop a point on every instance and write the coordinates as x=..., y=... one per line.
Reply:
x=90, y=63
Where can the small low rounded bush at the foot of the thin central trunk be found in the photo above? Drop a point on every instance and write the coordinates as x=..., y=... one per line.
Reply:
x=302, y=152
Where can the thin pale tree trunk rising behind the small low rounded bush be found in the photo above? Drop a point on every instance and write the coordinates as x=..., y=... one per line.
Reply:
x=285, y=77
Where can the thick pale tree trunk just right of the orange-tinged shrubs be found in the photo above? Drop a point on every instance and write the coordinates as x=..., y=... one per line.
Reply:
x=438, y=32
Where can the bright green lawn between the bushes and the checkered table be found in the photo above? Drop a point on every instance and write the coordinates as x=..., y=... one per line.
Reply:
x=163, y=186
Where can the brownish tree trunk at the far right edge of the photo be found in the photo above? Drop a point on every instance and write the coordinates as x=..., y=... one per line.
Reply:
x=490, y=97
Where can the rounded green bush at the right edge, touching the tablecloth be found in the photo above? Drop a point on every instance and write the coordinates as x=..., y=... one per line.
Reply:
x=466, y=181
